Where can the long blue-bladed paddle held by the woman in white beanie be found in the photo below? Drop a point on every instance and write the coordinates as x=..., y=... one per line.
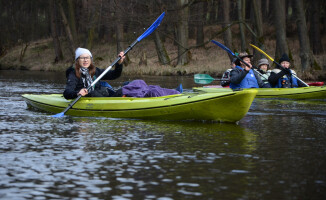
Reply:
x=145, y=34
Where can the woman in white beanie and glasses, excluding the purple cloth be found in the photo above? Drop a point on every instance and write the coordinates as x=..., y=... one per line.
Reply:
x=83, y=73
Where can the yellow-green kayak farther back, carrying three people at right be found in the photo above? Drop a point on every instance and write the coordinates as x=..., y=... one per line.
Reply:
x=312, y=92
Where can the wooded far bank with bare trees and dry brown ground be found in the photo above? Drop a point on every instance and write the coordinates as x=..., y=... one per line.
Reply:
x=43, y=35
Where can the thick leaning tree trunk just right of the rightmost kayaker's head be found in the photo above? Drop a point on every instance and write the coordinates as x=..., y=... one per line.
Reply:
x=305, y=55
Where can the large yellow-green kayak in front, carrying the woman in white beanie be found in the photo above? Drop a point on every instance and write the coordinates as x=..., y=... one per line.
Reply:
x=223, y=106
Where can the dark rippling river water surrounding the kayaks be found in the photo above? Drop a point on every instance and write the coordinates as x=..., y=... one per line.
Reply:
x=277, y=151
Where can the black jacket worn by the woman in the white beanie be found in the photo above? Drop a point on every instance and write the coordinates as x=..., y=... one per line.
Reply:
x=74, y=84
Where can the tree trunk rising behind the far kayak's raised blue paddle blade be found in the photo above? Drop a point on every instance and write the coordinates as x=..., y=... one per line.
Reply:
x=227, y=35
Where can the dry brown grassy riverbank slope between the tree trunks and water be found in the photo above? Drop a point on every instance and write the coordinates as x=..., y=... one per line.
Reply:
x=39, y=56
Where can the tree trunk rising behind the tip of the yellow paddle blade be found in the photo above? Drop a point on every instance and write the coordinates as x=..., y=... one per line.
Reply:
x=258, y=26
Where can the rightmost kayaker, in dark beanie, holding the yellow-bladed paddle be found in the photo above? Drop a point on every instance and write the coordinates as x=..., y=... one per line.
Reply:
x=283, y=77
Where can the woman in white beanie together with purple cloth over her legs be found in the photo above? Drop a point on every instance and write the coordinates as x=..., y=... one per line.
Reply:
x=83, y=73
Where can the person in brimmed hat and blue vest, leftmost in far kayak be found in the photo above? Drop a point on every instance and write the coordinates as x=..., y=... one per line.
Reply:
x=243, y=76
